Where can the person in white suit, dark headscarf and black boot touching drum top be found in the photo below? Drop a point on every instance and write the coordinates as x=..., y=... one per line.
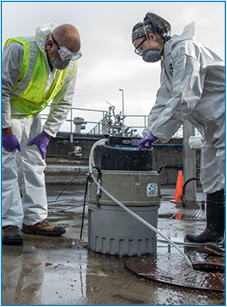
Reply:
x=192, y=88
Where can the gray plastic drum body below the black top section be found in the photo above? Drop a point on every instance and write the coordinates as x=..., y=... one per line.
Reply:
x=112, y=230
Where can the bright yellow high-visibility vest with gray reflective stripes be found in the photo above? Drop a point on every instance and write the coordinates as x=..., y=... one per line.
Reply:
x=29, y=93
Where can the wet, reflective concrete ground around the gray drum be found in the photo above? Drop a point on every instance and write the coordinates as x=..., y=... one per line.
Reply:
x=64, y=271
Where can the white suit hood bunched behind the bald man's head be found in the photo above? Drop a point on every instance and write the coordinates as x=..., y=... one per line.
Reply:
x=41, y=34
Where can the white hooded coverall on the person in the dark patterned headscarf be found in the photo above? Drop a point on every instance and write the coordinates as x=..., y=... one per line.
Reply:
x=193, y=88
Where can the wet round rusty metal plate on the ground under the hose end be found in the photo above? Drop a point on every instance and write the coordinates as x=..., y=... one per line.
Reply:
x=173, y=269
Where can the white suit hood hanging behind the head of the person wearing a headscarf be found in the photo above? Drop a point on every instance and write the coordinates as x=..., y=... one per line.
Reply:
x=187, y=34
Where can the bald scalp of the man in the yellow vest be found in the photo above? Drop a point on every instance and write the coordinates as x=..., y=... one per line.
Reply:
x=67, y=35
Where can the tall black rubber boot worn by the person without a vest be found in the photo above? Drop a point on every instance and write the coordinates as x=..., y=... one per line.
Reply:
x=215, y=219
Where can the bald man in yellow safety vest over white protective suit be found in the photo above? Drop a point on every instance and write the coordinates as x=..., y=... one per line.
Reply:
x=35, y=71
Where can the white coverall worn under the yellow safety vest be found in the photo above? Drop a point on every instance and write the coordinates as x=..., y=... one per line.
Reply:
x=24, y=171
